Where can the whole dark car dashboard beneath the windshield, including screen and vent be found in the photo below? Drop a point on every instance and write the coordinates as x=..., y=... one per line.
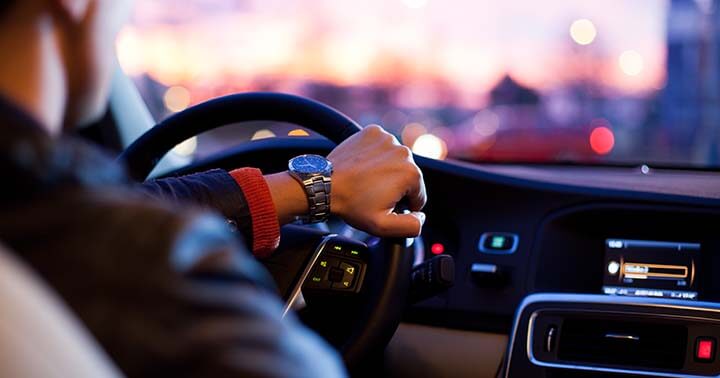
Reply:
x=539, y=250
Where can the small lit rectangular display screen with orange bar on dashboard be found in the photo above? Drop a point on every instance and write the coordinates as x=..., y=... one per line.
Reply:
x=645, y=268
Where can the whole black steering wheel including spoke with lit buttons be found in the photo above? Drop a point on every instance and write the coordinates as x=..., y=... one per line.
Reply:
x=358, y=315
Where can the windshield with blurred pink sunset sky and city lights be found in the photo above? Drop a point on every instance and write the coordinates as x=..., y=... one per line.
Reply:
x=613, y=81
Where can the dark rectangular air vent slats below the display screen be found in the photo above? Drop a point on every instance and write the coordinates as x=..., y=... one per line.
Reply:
x=623, y=343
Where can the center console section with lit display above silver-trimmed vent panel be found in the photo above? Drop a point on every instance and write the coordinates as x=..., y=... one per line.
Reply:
x=621, y=291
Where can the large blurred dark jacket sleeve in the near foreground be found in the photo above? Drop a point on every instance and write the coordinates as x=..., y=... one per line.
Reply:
x=166, y=292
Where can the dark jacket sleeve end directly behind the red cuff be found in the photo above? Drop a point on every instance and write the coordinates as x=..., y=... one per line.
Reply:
x=214, y=189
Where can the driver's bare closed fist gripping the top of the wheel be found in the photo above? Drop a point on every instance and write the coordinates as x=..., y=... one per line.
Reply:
x=372, y=173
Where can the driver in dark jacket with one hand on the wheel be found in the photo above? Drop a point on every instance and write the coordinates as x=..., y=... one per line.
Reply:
x=164, y=288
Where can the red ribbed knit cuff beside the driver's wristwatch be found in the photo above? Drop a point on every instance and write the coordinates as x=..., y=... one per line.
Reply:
x=265, y=225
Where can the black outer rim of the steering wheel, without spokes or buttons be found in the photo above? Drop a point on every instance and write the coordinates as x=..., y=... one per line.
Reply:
x=393, y=264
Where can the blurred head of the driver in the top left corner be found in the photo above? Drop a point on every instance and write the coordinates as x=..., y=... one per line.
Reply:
x=83, y=34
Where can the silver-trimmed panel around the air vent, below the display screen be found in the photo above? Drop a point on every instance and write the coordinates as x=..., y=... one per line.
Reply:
x=581, y=335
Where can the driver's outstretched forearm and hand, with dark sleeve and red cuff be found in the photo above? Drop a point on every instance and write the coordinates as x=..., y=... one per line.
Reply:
x=372, y=173
